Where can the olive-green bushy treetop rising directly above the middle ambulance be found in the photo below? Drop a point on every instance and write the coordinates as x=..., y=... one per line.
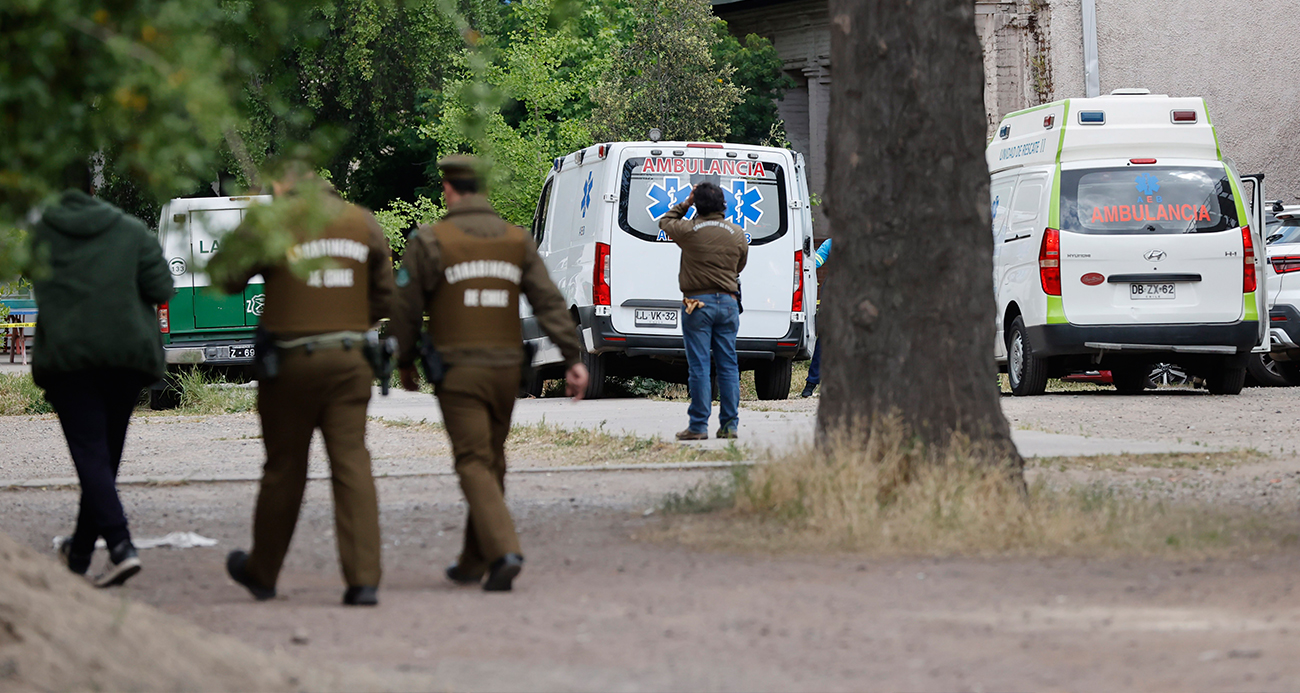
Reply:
x=666, y=77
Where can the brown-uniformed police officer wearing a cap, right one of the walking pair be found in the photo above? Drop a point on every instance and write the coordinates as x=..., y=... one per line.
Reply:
x=467, y=272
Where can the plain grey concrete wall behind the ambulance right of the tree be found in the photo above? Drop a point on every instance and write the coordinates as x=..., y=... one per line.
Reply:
x=1240, y=57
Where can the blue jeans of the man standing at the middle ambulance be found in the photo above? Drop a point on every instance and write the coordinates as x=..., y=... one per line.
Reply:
x=713, y=328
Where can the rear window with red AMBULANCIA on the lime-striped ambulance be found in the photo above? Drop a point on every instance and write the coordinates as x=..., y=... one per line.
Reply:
x=1147, y=201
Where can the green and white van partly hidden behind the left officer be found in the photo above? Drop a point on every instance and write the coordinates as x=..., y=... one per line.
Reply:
x=203, y=328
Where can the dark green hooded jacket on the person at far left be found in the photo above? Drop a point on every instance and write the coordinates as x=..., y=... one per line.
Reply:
x=102, y=274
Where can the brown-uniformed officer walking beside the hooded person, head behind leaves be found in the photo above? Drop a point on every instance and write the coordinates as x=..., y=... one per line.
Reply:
x=315, y=376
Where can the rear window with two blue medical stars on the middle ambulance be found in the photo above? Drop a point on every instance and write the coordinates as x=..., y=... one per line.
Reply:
x=755, y=192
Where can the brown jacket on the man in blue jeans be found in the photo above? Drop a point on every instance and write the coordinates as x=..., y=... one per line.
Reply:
x=713, y=252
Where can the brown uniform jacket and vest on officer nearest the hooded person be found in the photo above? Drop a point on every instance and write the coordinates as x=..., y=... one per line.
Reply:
x=352, y=293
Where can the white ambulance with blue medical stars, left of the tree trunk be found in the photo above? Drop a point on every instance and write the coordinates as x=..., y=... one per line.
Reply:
x=597, y=228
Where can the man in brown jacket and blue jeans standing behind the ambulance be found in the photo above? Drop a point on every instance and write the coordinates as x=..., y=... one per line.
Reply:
x=713, y=257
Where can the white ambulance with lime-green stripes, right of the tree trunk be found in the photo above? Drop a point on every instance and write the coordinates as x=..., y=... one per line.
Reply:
x=1121, y=239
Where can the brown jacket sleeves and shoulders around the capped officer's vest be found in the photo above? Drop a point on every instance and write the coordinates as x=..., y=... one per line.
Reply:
x=423, y=274
